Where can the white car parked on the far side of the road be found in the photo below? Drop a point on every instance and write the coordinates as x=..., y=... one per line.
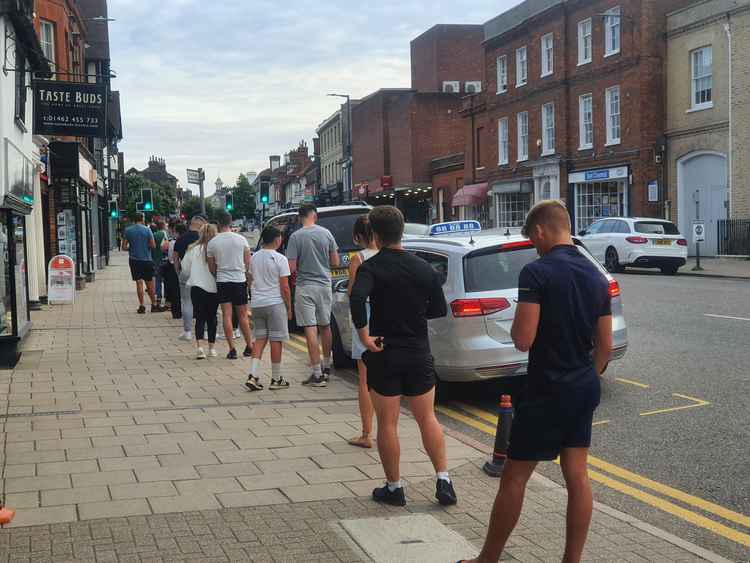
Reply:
x=618, y=242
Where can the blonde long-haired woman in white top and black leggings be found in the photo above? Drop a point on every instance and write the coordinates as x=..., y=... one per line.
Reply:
x=202, y=287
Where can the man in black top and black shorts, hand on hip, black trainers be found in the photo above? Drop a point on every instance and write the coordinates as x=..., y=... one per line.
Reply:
x=404, y=291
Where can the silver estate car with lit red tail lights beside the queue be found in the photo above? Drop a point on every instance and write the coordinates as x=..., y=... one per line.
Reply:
x=480, y=278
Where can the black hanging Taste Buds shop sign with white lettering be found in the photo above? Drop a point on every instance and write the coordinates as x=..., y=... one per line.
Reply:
x=71, y=109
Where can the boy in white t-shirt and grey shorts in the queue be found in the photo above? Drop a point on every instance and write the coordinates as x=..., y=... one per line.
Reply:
x=271, y=305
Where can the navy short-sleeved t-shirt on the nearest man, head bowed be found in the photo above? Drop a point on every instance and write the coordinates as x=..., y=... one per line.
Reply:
x=573, y=294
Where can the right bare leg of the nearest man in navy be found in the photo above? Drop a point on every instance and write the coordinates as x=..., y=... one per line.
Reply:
x=580, y=501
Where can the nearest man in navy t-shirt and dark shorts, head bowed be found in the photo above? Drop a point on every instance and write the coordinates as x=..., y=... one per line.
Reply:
x=564, y=321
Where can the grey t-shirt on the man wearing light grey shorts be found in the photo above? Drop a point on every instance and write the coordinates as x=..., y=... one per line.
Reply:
x=311, y=247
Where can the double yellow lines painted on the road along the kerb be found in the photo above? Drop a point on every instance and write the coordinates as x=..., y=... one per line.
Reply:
x=607, y=471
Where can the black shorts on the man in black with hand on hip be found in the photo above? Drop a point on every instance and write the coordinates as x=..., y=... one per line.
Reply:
x=399, y=371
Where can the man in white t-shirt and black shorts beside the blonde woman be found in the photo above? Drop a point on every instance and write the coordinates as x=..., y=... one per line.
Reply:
x=229, y=259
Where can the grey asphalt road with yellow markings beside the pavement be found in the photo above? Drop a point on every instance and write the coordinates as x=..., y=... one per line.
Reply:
x=671, y=439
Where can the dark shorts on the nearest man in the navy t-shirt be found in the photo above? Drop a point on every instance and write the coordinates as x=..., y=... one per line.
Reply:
x=544, y=425
